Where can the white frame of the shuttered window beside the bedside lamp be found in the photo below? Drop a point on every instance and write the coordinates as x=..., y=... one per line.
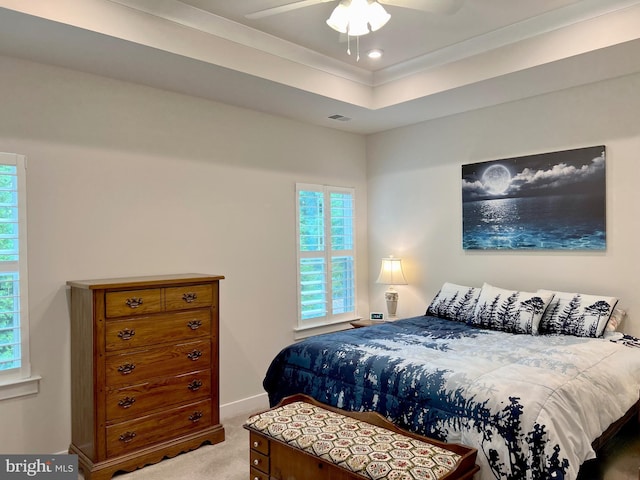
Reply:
x=327, y=253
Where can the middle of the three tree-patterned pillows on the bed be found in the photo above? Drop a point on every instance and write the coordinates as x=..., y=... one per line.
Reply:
x=509, y=310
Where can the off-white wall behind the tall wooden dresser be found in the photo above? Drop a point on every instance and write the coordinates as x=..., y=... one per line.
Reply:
x=128, y=180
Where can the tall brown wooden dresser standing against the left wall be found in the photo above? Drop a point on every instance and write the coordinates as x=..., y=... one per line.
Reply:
x=144, y=370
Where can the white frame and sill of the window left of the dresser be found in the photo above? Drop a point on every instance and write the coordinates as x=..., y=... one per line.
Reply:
x=19, y=381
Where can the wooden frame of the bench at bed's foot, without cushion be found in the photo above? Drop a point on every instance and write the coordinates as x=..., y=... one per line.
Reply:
x=272, y=459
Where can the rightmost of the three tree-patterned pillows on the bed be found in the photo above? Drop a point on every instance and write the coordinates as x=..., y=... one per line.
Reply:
x=577, y=314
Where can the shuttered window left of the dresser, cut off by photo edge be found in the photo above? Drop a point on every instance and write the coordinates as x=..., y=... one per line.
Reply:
x=14, y=332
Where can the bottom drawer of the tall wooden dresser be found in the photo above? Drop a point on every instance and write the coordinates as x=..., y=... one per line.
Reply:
x=129, y=436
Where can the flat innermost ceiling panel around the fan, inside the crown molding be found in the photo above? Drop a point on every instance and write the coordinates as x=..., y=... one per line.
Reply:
x=408, y=35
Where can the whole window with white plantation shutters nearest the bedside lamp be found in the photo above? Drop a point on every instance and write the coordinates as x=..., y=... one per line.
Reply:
x=326, y=255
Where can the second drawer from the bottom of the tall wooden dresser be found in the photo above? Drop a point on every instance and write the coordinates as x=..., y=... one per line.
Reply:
x=138, y=400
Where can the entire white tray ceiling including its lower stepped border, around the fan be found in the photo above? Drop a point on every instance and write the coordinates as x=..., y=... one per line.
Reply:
x=293, y=64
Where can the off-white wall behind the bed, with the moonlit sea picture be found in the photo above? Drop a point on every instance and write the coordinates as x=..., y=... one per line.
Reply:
x=415, y=196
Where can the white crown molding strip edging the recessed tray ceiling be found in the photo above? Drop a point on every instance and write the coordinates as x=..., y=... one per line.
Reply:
x=187, y=15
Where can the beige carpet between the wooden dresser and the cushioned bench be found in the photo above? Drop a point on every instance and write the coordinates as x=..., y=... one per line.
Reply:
x=228, y=460
